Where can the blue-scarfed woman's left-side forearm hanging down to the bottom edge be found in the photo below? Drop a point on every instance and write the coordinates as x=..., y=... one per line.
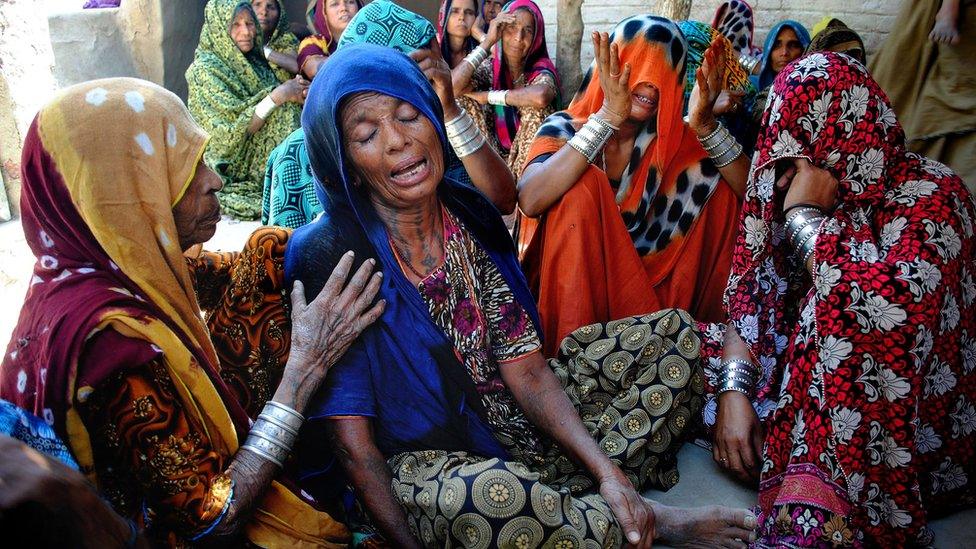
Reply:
x=371, y=478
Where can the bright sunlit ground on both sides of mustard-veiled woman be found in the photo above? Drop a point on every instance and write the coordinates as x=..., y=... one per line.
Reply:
x=17, y=261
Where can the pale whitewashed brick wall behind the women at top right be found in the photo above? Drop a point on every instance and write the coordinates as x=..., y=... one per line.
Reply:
x=870, y=18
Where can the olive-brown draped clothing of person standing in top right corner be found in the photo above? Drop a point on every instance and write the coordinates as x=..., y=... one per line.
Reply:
x=925, y=66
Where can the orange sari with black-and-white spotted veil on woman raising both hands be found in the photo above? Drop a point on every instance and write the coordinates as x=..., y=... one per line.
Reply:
x=661, y=236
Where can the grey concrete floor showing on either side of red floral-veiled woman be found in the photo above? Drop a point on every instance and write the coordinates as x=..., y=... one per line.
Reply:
x=703, y=483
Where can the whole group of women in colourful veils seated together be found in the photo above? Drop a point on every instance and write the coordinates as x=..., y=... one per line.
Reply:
x=400, y=371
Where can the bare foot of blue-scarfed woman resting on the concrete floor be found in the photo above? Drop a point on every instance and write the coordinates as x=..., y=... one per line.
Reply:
x=711, y=526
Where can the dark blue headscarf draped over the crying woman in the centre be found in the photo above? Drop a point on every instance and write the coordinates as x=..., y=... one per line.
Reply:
x=403, y=371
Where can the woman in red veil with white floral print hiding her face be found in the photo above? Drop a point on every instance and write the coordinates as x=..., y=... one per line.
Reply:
x=853, y=290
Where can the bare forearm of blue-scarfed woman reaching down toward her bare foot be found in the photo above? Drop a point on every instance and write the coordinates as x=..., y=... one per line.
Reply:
x=538, y=392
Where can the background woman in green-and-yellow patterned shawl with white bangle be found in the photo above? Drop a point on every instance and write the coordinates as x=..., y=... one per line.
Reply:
x=235, y=95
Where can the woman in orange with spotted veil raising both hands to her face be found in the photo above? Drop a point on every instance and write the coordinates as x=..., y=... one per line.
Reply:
x=646, y=221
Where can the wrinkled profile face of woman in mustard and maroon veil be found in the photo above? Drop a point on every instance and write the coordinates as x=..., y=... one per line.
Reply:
x=197, y=213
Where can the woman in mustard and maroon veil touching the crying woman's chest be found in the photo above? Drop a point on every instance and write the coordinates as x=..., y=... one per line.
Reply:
x=110, y=348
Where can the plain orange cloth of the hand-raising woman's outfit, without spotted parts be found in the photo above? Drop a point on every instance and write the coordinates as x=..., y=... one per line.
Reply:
x=581, y=261
